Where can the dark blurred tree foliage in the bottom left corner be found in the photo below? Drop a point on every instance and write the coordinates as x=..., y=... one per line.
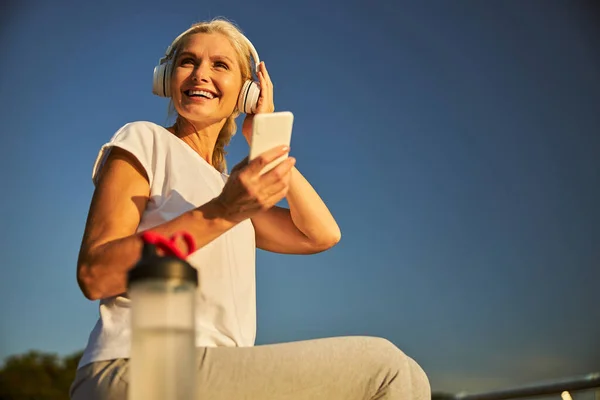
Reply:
x=36, y=375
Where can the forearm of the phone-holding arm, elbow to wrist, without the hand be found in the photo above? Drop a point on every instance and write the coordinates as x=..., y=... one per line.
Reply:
x=103, y=268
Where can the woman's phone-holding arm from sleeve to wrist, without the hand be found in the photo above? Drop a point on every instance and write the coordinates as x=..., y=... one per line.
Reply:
x=110, y=246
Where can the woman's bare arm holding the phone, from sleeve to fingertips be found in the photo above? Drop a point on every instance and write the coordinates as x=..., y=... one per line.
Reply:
x=110, y=245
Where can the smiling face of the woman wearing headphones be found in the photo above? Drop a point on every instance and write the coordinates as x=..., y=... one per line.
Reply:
x=206, y=78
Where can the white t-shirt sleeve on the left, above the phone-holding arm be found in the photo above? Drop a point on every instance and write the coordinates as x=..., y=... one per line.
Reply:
x=135, y=138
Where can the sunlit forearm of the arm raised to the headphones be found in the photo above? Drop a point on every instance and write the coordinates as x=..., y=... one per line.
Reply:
x=309, y=213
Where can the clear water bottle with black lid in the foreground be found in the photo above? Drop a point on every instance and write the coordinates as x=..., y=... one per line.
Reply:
x=163, y=356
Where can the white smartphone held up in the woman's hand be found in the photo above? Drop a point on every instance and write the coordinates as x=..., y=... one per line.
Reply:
x=270, y=130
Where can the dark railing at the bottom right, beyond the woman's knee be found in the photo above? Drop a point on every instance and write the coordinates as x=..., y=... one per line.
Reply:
x=586, y=382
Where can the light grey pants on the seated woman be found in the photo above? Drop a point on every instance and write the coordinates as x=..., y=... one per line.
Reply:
x=361, y=368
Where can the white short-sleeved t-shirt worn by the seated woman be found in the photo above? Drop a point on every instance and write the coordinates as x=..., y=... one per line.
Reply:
x=181, y=180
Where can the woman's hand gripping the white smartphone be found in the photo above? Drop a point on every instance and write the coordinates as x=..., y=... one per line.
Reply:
x=247, y=192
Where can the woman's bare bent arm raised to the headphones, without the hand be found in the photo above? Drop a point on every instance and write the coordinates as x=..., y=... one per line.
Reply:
x=306, y=228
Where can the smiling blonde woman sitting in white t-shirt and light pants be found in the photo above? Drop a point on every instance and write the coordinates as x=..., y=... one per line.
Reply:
x=172, y=179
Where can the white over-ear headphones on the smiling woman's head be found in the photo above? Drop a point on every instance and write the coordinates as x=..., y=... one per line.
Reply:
x=161, y=82
